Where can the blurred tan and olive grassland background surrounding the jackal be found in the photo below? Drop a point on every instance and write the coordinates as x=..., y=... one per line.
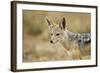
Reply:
x=36, y=45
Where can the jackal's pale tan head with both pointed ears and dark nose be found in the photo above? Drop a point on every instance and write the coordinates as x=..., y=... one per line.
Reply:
x=56, y=30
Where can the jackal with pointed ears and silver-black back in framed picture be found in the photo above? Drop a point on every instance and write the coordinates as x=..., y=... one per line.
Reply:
x=71, y=41
